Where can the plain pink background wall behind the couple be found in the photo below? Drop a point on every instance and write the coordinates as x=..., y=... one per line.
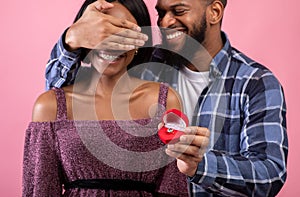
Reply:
x=265, y=30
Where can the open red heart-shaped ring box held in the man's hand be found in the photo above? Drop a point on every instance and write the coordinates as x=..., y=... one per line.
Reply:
x=175, y=123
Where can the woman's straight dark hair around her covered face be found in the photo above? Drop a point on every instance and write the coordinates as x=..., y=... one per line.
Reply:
x=140, y=12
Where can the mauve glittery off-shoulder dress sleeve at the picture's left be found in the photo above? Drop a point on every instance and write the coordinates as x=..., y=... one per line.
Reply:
x=42, y=175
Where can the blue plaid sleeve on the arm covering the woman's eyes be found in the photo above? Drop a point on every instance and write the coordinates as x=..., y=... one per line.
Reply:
x=62, y=66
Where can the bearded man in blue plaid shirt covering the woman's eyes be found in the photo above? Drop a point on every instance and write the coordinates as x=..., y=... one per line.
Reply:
x=235, y=103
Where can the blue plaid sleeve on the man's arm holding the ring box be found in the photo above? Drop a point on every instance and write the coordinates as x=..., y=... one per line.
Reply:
x=248, y=159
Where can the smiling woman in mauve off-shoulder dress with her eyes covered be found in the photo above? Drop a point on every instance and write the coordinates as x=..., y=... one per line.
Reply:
x=98, y=136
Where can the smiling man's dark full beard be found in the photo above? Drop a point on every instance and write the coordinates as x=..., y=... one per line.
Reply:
x=193, y=44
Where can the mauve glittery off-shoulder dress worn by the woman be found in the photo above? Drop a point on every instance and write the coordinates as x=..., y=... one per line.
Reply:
x=59, y=152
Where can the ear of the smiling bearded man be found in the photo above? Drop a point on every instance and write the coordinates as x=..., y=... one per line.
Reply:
x=215, y=12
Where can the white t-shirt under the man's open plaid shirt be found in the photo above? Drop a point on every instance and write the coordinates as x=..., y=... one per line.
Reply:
x=190, y=86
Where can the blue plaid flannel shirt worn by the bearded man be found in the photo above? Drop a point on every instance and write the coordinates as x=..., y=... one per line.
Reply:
x=244, y=108
